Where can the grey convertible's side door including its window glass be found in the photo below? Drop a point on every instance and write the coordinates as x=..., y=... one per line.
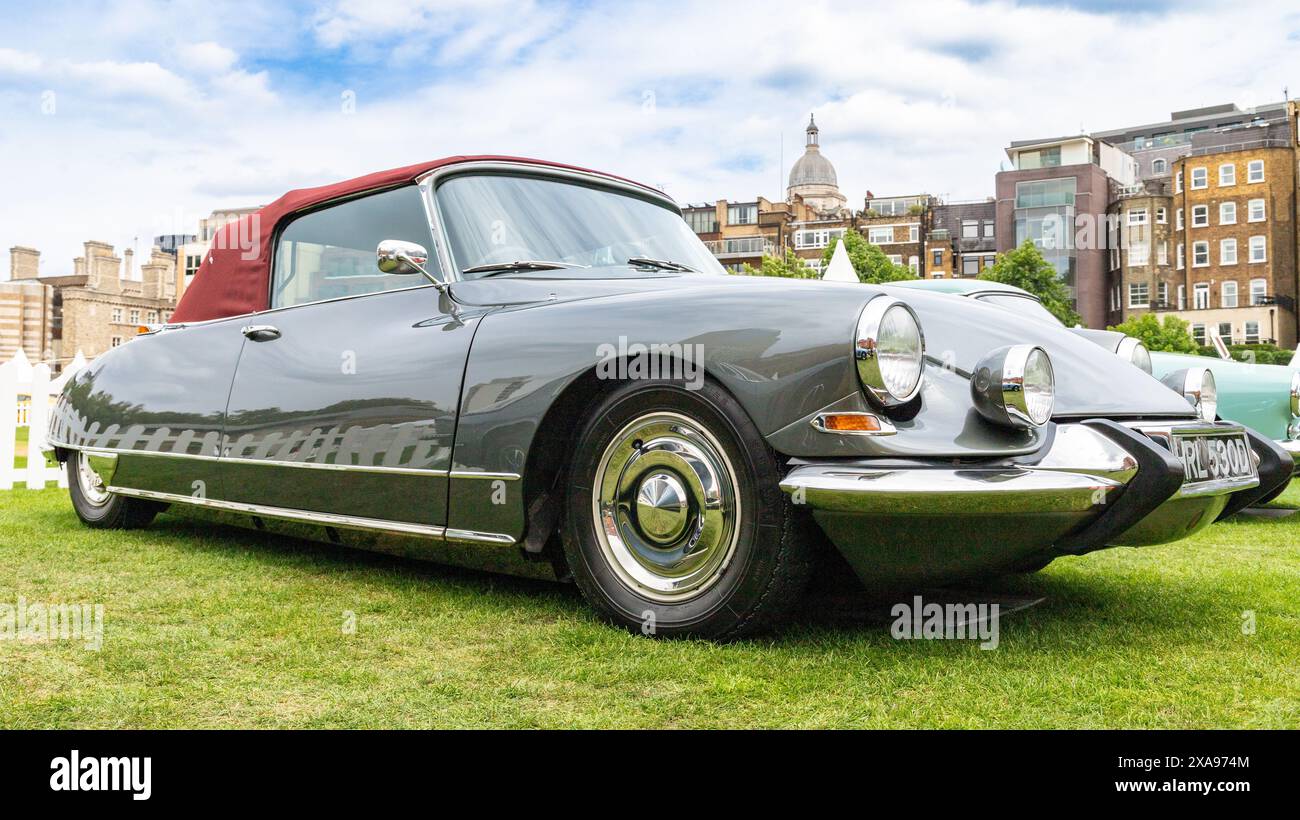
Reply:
x=345, y=397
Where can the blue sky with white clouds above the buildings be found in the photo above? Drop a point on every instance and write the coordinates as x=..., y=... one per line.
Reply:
x=120, y=122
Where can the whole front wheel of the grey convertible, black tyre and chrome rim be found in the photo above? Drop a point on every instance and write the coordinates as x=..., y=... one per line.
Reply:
x=675, y=520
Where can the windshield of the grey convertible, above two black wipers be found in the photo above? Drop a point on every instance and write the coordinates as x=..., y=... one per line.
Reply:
x=500, y=219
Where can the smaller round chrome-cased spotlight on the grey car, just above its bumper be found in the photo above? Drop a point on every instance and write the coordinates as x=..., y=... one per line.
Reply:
x=1015, y=387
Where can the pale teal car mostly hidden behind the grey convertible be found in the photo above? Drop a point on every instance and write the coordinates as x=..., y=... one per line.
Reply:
x=1266, y=398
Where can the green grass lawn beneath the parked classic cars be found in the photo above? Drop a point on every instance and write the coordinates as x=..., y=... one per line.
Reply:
x=229, y=628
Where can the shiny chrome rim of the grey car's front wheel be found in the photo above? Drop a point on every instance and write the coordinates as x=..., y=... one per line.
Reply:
x=666, y=509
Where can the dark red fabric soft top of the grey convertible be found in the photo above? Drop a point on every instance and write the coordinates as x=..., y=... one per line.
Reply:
x=235, y=277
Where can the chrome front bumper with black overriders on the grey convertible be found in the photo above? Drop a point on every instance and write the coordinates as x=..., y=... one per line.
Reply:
x=1097, y=484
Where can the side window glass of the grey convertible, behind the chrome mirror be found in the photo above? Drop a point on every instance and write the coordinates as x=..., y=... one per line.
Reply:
x=330, y=254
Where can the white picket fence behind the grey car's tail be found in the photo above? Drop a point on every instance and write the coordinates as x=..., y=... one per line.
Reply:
x=27, y=397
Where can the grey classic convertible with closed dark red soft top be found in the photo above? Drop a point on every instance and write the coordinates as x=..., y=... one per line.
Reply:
x=541, y=370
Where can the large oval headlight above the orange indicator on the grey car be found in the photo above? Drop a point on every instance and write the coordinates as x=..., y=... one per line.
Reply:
x=890, y=352
